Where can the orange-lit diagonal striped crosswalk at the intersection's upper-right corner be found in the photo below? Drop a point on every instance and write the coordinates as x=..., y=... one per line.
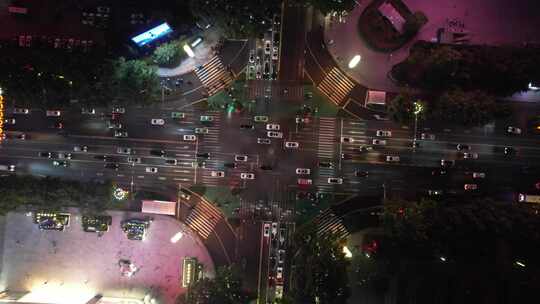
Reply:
x=336, y=86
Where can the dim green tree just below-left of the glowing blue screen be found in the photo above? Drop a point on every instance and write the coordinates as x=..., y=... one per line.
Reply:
x=135, y=81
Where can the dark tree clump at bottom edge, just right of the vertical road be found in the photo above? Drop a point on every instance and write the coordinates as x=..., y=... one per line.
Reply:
x=319, y=272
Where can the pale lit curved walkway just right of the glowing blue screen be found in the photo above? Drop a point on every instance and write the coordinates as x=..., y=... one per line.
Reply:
x=203, y=53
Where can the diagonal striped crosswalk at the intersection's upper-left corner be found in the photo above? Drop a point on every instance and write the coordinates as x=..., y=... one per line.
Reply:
x=214, y=75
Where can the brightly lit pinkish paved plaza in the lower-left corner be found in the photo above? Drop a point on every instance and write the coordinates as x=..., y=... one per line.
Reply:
x=60, y=265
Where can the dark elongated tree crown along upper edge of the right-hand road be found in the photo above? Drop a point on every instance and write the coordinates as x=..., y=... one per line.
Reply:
x=473, y=108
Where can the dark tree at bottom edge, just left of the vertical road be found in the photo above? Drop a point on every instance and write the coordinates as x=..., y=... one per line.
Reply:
x=225, y=288
